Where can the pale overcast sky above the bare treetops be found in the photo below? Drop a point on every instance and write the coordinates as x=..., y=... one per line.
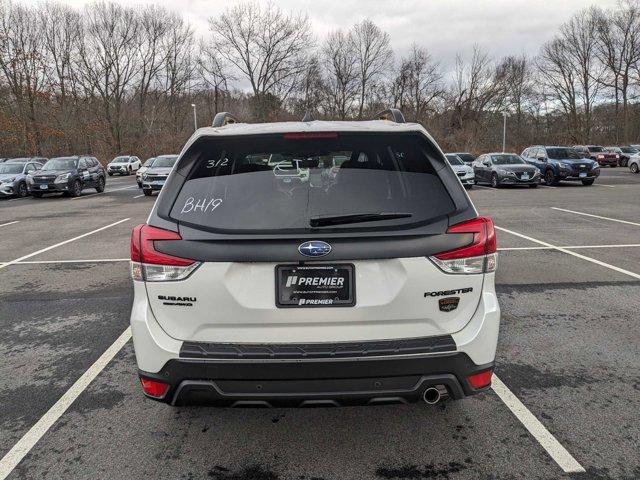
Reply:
x=445, y=27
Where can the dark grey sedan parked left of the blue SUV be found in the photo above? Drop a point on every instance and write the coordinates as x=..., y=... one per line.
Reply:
x=499, y=169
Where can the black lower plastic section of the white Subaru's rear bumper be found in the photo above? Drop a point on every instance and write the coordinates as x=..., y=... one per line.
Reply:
x=353, y=381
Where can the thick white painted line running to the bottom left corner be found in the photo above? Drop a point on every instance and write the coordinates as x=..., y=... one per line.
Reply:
x=35, y=433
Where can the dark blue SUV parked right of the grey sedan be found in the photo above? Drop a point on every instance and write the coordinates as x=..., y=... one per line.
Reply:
x=561, y=163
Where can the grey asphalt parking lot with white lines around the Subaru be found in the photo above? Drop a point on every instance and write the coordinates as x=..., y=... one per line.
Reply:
x=569, y=358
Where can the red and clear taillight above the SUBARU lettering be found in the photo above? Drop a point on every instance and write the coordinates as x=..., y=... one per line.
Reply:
x=149, y=264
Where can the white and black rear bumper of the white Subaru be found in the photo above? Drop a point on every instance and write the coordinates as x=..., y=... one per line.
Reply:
x=220, y=375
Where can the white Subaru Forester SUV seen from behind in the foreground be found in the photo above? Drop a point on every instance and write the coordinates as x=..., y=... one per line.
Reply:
x=372, y=285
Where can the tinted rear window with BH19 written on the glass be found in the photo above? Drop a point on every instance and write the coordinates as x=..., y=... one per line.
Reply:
x=289, y=185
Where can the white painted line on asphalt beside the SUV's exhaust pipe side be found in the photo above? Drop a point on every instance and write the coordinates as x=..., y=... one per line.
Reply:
x=553, y=447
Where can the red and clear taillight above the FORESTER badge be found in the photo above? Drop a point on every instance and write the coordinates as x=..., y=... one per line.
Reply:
x=478, y=257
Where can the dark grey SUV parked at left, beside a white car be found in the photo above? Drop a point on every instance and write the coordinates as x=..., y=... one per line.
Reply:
x=67, y=175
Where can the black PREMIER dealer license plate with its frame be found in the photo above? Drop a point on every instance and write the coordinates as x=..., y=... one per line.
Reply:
x=290, y=294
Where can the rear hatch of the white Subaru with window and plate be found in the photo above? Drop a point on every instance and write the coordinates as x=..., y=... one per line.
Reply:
x=292, y=245
